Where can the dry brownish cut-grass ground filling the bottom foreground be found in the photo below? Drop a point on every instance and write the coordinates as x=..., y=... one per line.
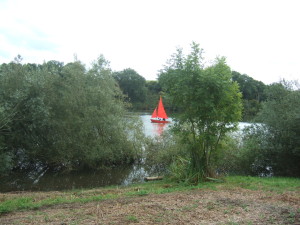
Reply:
x=235, y=206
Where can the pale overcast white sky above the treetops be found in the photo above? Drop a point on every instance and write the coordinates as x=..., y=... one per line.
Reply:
x=260, y=38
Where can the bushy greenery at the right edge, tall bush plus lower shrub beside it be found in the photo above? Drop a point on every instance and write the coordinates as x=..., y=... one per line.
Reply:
x=272, y=146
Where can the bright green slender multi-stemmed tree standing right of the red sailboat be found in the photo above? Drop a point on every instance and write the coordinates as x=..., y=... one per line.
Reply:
x=209, y=103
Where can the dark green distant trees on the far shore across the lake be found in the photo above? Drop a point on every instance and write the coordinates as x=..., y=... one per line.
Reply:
x=144, y=95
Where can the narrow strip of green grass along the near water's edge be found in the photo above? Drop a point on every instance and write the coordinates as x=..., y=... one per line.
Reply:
x=16, y=201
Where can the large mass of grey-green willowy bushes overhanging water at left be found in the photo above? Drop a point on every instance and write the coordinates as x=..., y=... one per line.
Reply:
x=63, y=116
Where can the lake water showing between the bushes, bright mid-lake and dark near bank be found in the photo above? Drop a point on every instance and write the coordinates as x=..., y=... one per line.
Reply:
x=40, y=181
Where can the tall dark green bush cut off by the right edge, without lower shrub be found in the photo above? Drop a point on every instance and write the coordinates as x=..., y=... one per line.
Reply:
x=281, y=118
